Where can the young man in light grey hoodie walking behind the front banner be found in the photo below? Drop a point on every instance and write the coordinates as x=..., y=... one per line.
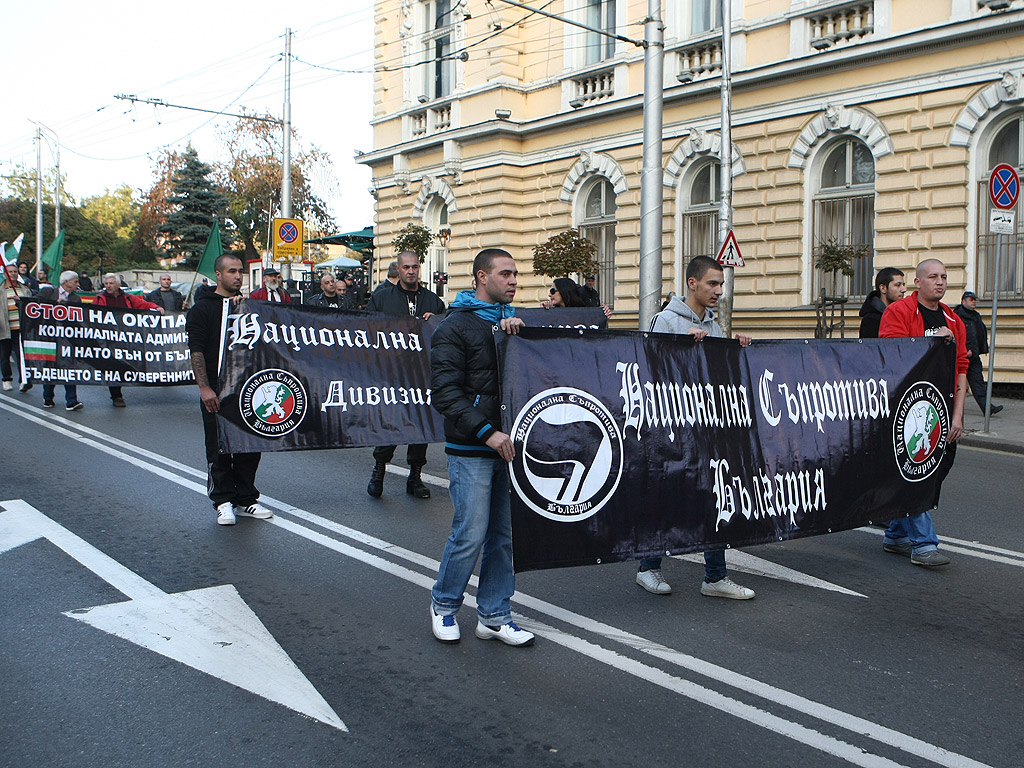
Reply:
x=696, y=316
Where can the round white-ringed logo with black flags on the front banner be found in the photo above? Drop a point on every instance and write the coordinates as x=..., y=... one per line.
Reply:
x=569, y=455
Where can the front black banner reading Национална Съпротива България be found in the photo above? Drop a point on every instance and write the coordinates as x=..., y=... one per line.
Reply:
x=632, y=445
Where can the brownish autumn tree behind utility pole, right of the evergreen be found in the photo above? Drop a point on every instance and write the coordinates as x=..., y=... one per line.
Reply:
x=252, y=181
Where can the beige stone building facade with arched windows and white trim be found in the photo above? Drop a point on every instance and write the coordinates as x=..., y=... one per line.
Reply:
x=874, y=124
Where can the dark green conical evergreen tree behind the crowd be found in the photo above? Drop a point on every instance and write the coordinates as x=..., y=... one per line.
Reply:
x=196, y=200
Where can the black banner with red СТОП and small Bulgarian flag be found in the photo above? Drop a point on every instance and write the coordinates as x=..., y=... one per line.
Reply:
x=82, y=345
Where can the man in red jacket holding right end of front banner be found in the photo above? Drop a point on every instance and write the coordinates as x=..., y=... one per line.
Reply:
x=923, y=314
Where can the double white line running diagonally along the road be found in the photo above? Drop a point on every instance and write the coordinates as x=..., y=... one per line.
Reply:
x=813, y=739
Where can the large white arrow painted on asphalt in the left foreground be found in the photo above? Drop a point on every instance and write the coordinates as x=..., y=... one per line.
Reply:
x=211, y=630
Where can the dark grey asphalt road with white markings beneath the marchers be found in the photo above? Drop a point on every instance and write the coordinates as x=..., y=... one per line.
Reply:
x=847, y=657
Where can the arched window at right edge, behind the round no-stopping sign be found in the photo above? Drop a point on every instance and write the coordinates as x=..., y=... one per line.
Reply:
x=1007, y=147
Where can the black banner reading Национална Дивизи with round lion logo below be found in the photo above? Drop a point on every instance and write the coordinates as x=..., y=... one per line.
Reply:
x=297, y=378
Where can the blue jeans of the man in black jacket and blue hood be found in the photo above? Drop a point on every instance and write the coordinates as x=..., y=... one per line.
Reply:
x=483, y=522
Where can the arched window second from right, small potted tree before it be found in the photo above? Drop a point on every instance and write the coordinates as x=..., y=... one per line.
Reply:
x=844, y=211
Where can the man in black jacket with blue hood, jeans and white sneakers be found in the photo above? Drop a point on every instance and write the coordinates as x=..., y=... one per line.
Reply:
x=465, y=385
